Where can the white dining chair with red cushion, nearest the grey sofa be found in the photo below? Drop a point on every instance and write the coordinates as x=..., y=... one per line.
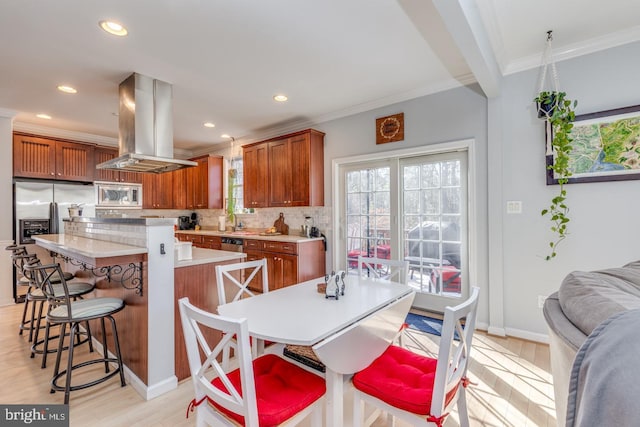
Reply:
x=395, y=381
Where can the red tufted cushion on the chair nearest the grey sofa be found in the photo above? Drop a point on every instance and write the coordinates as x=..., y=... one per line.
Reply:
x=402, y=379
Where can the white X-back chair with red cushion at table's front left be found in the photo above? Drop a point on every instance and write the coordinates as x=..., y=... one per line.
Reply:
x=263, y=391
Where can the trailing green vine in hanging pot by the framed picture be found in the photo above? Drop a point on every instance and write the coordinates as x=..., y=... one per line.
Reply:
x=559, y=112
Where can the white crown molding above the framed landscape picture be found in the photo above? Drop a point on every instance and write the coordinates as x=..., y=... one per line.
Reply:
x=574, y=50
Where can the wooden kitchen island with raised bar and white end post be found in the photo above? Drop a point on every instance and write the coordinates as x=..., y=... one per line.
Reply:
x=133, y=259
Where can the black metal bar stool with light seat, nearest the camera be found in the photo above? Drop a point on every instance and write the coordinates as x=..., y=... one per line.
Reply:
x=66, y=312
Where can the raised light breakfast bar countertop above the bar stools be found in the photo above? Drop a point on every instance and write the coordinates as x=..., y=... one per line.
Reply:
x=90, y=248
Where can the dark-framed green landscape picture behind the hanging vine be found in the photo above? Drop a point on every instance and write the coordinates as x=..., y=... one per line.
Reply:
x=606, y=147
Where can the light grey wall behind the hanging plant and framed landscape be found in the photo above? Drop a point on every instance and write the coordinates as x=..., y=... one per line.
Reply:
x=603, y=228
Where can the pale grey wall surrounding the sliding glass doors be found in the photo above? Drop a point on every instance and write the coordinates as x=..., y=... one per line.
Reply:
x=449, y=116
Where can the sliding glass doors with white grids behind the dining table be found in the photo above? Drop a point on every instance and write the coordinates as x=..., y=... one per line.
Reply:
x=412, y=208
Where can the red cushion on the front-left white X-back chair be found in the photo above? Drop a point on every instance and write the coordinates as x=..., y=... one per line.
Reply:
x=282, y=390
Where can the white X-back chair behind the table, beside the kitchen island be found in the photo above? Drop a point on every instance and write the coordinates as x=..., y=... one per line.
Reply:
x=234, y=282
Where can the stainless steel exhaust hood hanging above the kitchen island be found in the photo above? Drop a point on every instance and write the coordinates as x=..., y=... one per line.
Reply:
x=145, y=137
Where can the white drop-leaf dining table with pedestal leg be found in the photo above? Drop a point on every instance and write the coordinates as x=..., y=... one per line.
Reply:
x=347, y=334
